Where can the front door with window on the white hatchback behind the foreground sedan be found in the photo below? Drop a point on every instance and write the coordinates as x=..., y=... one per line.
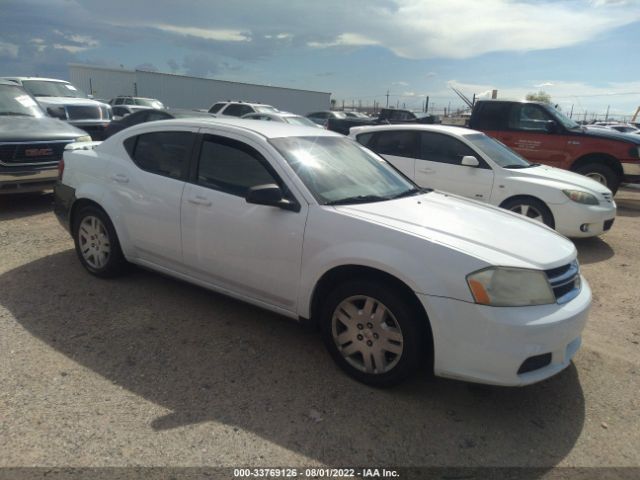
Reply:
x=439, y=166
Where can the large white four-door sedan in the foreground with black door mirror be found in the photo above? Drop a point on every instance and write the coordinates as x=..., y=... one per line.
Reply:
x=307, y=223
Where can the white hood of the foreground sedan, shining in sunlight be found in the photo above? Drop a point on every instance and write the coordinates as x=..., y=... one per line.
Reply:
x=494, y=235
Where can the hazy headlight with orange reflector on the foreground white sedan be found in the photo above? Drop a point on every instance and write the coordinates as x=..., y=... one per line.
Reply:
x=510, y=287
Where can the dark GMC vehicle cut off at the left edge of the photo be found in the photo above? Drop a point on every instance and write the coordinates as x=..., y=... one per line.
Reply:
x=31, y=143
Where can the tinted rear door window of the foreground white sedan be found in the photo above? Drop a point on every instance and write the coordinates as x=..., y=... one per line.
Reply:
x=163, y=153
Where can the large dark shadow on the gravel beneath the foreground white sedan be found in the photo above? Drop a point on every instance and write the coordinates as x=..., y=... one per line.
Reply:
x=208, y=358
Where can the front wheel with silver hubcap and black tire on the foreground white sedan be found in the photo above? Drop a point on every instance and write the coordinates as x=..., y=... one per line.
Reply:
x=372, y=332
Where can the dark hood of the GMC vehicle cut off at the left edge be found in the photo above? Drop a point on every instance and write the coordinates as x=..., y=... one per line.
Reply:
x=32, y=129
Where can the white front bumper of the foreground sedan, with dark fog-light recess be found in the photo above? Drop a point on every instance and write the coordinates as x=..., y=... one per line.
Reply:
x=483, y=344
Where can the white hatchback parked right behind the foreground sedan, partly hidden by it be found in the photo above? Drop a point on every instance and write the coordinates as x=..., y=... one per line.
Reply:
x=469, y=163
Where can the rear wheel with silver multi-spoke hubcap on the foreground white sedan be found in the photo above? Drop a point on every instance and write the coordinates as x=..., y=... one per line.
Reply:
x=97, y=244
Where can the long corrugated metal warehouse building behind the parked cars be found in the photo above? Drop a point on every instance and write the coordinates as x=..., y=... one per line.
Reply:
x=180, y=91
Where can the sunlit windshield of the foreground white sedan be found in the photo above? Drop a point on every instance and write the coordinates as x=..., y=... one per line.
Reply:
x=338, y=171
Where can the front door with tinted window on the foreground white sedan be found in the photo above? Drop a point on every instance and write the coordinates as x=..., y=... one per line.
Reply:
x=251, y=250
